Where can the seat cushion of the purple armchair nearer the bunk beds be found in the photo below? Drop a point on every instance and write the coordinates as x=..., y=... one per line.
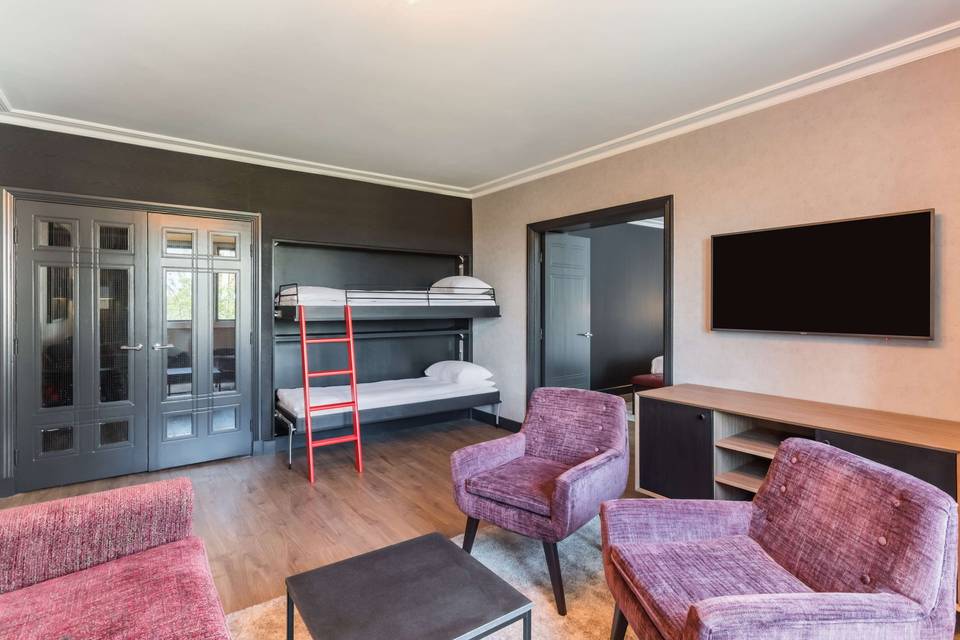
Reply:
x=526, y=483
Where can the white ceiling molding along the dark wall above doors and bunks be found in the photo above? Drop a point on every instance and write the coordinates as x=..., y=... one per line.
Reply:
x=131, y=136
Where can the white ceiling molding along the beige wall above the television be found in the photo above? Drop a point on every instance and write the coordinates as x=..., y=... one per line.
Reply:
x=899, y=53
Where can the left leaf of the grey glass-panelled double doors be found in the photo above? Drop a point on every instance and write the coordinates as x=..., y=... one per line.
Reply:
x=81, y=325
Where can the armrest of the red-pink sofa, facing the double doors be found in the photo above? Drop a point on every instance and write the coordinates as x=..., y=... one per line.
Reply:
x=51, y=539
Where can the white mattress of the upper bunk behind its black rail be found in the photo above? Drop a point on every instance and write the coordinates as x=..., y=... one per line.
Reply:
x=328, y=297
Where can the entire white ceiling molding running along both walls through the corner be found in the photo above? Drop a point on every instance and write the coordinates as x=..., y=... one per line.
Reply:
x=899, y=53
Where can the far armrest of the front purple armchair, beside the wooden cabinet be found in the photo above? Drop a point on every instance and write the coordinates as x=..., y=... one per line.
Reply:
x=652, y=520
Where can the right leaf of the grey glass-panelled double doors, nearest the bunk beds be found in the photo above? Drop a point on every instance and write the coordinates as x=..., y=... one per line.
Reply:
x=200, y=331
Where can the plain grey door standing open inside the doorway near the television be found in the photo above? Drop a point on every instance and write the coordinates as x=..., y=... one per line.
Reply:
x=566, y=317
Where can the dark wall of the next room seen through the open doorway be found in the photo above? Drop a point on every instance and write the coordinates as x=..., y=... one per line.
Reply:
x=626, y=302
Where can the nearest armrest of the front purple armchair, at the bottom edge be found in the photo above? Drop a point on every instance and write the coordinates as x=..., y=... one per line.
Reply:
x=796, y=616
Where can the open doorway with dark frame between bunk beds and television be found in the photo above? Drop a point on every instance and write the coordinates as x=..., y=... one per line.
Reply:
x=600, y=286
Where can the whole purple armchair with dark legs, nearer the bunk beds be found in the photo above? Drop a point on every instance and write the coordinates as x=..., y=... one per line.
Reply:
x=548, y=480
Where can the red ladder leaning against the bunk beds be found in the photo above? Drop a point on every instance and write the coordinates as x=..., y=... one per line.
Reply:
x=308, y=375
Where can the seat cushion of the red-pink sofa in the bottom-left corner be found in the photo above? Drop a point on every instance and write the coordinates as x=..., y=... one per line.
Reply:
x=163, y=593
